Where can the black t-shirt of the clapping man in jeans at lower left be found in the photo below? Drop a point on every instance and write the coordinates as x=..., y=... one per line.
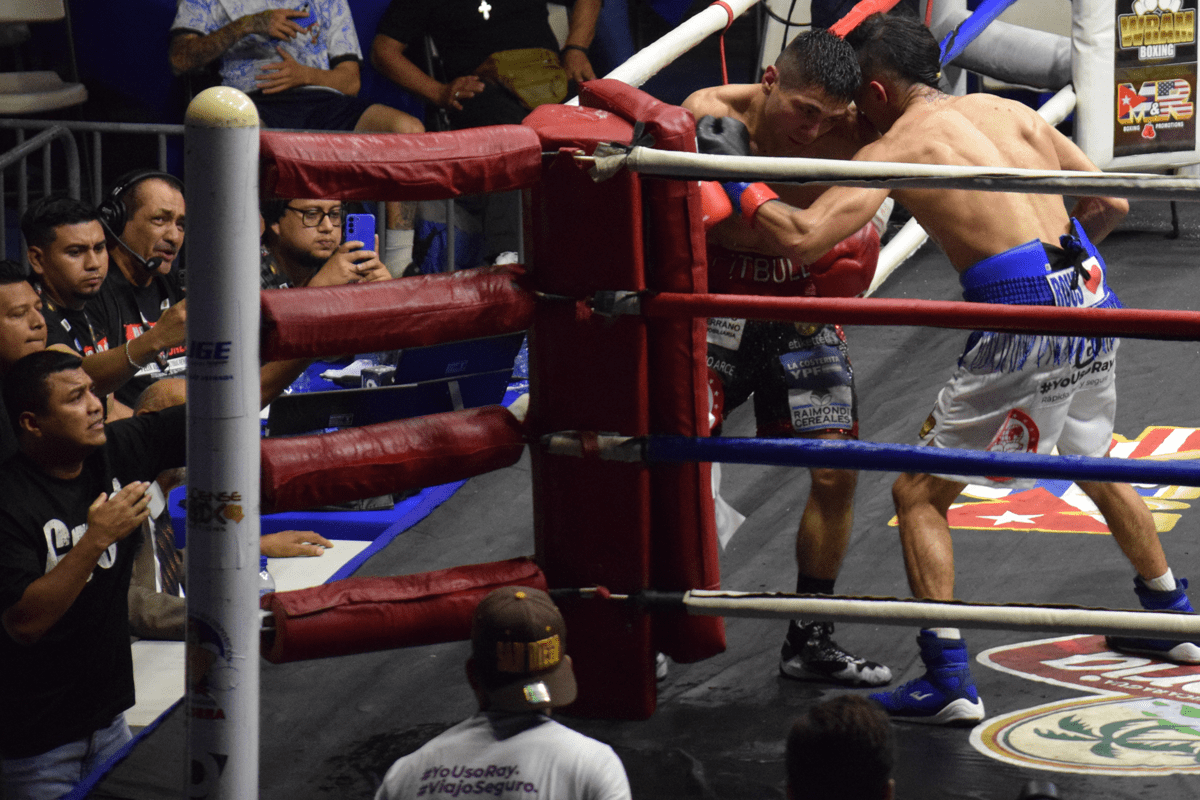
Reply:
x=80, y=676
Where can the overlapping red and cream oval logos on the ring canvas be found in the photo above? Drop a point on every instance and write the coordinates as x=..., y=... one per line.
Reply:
x=1147, y=720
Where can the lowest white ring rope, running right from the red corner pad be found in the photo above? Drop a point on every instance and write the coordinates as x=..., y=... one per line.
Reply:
x=1061, y=619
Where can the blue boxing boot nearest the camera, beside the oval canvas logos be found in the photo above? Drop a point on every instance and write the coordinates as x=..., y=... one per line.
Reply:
x=945, y=695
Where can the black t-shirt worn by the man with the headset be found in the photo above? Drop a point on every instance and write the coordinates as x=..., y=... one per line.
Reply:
x=123, y=312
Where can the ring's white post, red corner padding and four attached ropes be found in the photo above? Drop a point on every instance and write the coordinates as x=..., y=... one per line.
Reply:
x=639, y=374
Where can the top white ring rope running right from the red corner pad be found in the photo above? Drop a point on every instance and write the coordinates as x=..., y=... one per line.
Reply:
x=878, y=175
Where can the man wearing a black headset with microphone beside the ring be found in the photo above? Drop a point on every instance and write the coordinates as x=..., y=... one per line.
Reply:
x=143, y=219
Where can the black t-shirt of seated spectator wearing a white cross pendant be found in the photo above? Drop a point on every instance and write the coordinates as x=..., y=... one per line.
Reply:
x=464, y=37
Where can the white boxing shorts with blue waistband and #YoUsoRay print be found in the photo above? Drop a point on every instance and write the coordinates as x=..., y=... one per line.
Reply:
x=1015, y=393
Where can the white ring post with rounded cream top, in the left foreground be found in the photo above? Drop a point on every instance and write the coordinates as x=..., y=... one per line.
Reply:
x=221, y=163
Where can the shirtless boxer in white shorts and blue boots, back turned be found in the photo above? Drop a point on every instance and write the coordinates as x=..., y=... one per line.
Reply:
x=1003, y=245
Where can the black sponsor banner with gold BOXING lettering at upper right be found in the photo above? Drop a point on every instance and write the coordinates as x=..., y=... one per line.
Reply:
x=1155, y=80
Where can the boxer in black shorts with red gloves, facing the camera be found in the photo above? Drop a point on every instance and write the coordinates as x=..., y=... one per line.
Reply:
x=800, y=375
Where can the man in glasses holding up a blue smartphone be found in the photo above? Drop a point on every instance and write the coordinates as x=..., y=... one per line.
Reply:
x=303, y=246
